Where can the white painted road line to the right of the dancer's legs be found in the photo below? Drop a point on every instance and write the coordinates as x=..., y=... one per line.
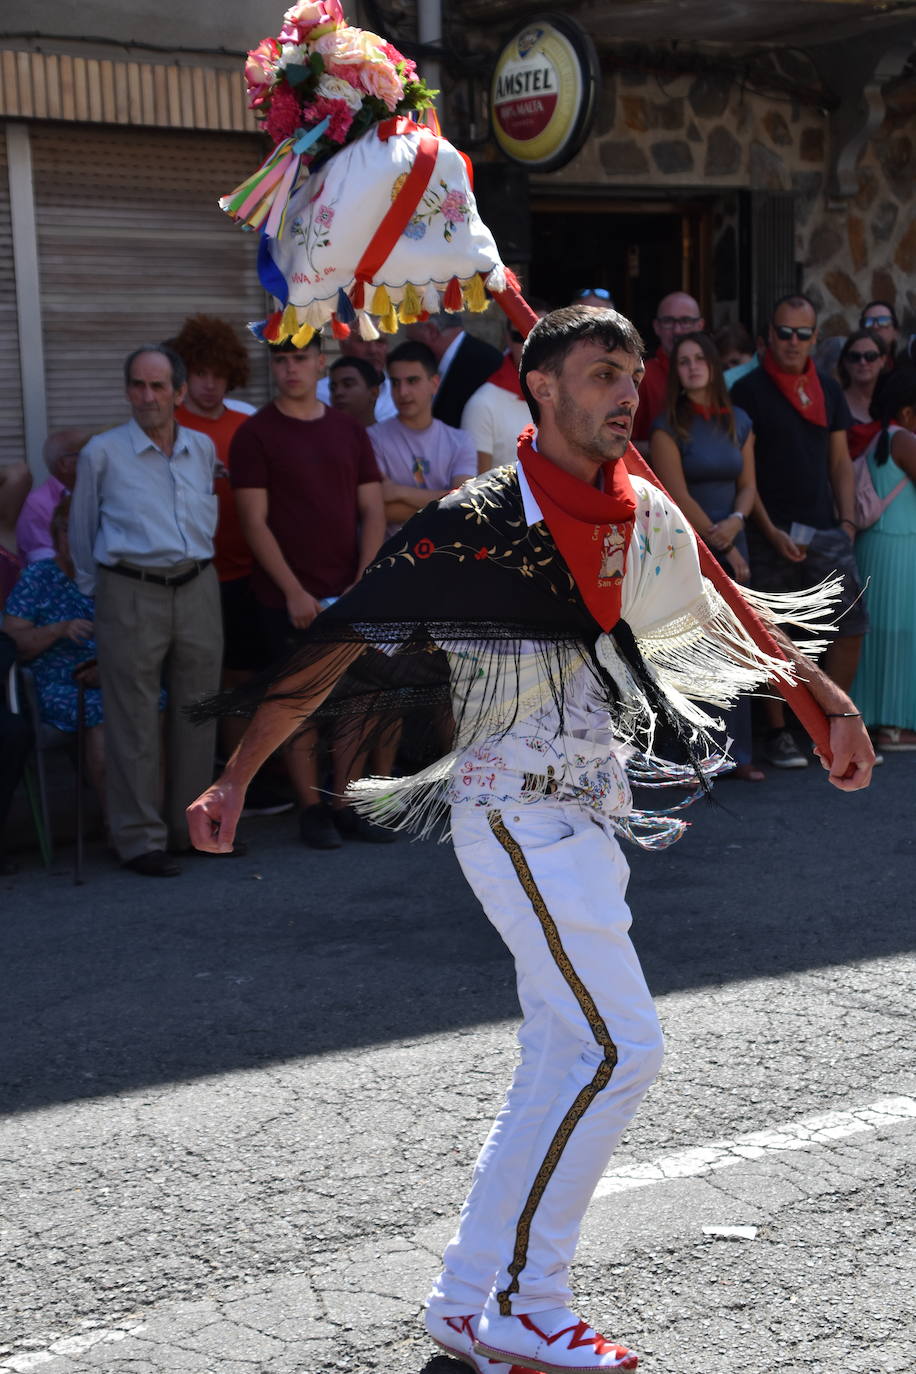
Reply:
x=808, y=1134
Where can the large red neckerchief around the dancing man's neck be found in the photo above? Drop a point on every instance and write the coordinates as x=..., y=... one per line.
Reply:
x=591, y=528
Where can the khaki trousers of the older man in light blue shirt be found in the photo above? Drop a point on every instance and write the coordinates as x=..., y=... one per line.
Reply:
x=148, y=638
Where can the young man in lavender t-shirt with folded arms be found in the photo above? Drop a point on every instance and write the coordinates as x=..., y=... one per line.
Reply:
x=421, y=458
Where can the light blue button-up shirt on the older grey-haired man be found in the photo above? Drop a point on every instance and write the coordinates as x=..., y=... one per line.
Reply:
x=135, y=505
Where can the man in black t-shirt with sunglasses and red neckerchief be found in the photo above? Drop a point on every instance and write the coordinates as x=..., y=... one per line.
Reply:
x=804, y=521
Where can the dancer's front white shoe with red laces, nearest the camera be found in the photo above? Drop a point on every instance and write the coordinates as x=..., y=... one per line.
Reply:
x=556, y=1343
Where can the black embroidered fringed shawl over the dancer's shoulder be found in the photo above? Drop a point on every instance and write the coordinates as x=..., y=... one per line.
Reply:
x=447, y=612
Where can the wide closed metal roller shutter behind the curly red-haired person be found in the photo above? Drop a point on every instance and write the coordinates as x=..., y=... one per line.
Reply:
x=131, y=240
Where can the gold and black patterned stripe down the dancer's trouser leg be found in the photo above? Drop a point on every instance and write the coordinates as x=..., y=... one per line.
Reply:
x=588, y=1093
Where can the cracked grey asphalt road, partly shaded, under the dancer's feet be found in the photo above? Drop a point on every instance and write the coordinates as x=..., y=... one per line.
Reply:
x=242, y=1107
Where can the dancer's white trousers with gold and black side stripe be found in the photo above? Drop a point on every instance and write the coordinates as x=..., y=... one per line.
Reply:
x=553, y=881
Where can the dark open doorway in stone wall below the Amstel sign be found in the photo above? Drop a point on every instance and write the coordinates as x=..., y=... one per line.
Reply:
x=638, y=251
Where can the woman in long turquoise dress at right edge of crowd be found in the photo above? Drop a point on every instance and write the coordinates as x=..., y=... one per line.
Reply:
x=886, y=682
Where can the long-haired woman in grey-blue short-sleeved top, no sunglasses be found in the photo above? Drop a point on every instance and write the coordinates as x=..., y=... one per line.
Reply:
x=704, y=451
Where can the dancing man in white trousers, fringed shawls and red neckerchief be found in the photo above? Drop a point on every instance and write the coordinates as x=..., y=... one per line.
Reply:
x=560, y=663
